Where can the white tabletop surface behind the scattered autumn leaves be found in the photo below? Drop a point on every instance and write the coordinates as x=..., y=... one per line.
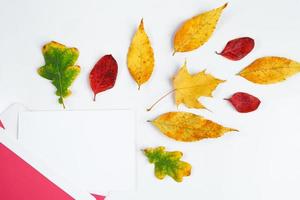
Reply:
x=259, y=162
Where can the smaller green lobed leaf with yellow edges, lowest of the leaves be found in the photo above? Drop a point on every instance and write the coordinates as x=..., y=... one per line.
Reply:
x=168, y=163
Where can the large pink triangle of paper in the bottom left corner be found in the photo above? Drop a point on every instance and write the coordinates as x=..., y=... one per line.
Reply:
x=20, y=181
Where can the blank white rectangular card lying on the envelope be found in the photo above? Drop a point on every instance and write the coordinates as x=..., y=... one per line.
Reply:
x=93, y=148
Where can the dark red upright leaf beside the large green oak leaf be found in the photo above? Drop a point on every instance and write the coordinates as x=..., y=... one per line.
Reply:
x=103, y=75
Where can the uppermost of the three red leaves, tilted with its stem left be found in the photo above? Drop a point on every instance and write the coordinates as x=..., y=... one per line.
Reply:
x=238, y=48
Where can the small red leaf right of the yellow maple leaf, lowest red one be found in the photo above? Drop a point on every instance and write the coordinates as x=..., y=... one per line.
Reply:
x=244, y=102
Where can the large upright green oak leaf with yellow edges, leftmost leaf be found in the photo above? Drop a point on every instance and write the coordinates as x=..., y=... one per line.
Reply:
x=60, y=68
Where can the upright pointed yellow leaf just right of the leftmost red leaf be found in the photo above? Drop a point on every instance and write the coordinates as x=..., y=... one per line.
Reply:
x=140, y=57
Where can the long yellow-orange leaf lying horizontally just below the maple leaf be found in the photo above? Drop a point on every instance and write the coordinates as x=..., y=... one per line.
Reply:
x=188, y=127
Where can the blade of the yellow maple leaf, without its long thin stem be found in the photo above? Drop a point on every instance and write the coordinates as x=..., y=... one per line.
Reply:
x=188, y=88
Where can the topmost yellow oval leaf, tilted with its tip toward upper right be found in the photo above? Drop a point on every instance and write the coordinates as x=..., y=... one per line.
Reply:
x=197, y=30
